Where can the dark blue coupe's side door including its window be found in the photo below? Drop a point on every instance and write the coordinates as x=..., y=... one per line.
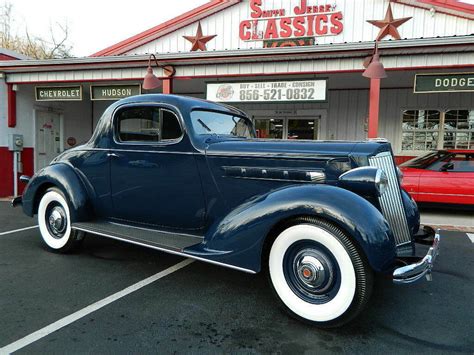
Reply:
x=154, y=176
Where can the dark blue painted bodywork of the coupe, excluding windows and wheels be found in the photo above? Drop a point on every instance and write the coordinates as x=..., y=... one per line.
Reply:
x=183, y=187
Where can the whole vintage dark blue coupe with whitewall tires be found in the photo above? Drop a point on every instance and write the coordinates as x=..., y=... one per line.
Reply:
x=188, y=177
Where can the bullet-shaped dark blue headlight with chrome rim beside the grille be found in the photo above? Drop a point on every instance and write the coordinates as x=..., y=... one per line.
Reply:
x=366, y=180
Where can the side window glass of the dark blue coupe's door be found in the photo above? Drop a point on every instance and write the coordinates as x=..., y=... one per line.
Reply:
x=147, y=125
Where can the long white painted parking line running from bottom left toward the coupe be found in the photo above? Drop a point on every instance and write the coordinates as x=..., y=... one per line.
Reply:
x=27, y=340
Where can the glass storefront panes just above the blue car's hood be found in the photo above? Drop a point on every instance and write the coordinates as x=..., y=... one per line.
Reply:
x=288, y=128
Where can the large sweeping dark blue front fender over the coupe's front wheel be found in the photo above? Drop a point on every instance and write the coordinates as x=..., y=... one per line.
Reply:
x=238, y=239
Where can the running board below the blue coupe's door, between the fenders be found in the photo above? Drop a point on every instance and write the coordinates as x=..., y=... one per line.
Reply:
x=144, y=236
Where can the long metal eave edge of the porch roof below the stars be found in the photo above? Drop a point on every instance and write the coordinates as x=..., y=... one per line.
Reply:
x=359, y=49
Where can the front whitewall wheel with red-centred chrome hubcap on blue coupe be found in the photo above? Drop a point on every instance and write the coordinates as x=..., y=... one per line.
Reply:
x=318, y=274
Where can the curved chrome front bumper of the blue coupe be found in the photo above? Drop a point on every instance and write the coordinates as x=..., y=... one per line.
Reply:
x=414, y=272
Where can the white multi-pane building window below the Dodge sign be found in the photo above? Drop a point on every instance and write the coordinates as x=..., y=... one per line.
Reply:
x=424, y=130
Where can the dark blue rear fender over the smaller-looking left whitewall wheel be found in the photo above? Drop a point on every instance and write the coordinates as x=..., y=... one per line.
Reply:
x=68, y=180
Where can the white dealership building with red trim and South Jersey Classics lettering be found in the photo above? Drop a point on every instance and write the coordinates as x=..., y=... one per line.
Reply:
x=296, y=67
